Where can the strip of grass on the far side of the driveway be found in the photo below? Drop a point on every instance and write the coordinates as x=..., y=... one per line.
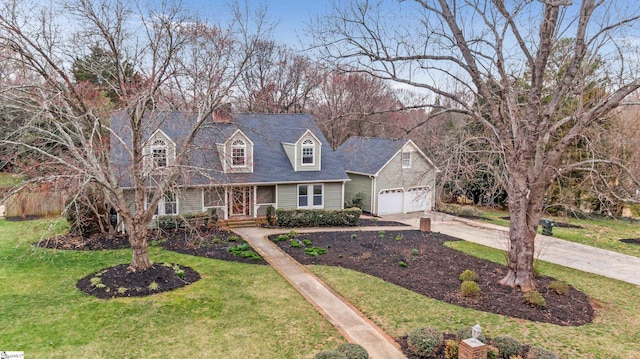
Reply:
x=602, y=233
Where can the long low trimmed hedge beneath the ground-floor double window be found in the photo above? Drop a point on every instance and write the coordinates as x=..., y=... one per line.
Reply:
x=318, y=217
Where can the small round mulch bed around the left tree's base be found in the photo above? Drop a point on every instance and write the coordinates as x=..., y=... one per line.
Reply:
x=120, y=281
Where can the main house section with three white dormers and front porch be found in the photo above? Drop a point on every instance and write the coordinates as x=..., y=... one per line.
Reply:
x=238, y=164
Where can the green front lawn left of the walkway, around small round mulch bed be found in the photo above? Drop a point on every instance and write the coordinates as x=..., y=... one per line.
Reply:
x=235, y=311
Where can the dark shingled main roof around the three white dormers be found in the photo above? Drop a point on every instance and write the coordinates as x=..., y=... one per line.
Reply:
x=266, y=131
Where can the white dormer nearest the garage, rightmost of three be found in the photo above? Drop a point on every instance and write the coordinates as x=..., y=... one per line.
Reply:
x=306, y=153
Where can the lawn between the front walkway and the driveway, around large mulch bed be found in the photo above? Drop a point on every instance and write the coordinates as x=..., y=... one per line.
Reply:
x=613, y=334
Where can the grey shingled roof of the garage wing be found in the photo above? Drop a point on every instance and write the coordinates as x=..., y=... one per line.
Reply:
x=367, y=155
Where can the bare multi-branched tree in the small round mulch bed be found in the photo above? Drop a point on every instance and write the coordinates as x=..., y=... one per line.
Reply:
x=180, y=63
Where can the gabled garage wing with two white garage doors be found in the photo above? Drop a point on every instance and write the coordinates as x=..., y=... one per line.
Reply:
x=394, y=176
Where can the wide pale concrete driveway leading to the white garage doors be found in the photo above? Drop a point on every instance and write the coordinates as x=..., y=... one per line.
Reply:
x=550, y=249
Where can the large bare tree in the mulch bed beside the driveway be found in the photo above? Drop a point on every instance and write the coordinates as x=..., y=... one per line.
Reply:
x=500, y=53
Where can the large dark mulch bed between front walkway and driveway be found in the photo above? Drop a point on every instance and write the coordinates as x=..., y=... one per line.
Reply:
x=433, y=271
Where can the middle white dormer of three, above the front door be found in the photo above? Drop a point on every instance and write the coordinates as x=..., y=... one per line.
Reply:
x=236, y=153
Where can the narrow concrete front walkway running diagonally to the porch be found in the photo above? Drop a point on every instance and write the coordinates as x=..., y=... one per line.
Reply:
x=347, y=319
